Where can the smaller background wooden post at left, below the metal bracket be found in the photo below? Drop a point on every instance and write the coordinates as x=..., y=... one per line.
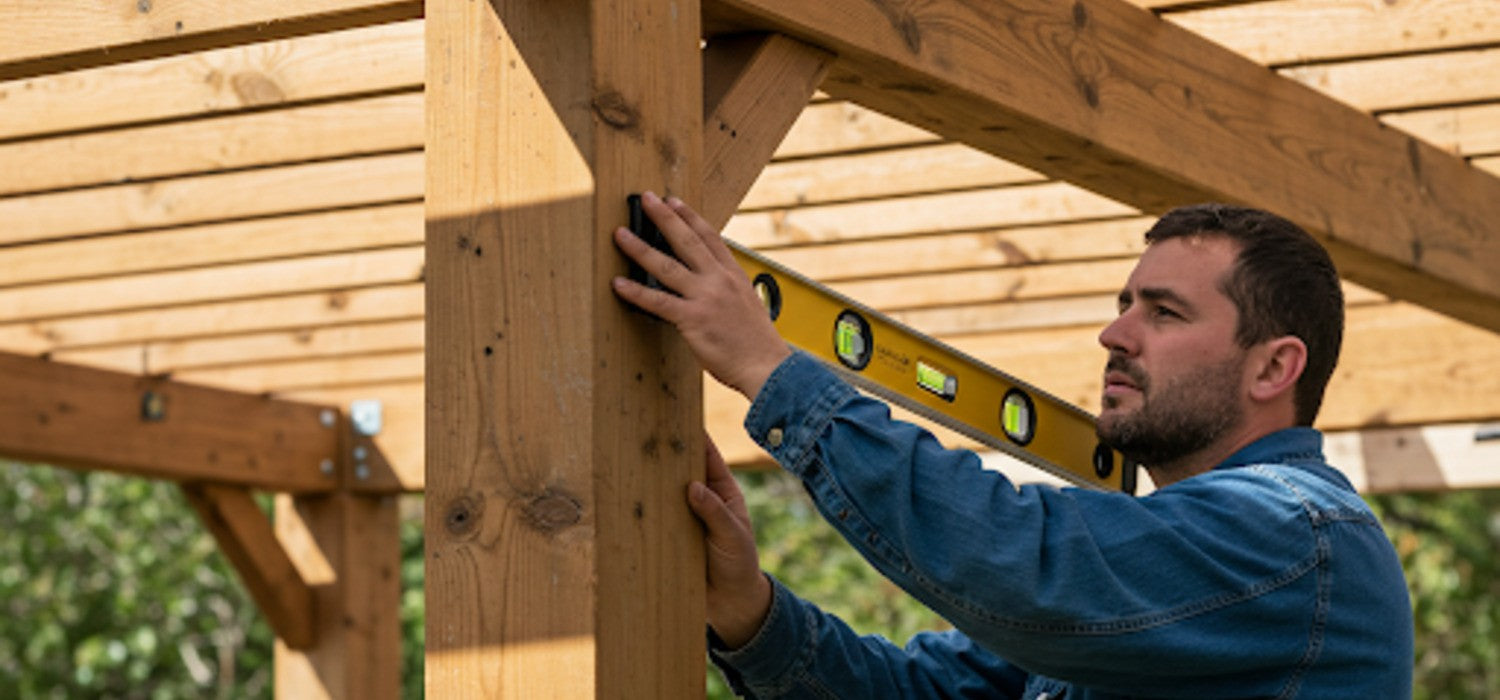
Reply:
x=347, y=548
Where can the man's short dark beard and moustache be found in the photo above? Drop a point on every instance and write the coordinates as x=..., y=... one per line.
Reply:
x=1178, y=419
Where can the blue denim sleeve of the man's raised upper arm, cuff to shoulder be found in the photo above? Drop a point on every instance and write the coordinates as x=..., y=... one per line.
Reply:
x=1090, y=587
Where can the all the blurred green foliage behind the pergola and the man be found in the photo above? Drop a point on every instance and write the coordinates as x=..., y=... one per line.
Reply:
x=113, y=590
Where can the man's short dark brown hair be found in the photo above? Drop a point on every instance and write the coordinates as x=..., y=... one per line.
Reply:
x=1283, y=284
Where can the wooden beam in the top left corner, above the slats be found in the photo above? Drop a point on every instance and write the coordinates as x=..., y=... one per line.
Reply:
x=46, y=37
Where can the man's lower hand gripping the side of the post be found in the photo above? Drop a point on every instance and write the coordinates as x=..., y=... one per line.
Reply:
x=739, y=593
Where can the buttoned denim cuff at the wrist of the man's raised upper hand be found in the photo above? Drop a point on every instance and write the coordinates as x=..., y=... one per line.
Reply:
x=794, y=408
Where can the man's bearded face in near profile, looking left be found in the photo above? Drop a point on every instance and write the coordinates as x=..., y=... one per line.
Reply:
x=1175, y=378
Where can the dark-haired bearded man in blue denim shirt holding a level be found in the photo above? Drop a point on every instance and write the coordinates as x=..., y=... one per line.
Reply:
x=1253, y=570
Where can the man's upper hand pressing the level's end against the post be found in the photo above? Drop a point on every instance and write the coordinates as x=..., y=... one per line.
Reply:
x=716, y=310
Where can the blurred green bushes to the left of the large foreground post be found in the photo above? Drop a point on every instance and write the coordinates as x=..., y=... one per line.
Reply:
x=113, y=588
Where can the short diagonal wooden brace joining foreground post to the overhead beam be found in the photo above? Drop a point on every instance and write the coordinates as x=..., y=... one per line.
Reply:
x=755, y=88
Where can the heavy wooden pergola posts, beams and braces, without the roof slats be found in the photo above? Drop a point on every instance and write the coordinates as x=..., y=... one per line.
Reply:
x=563, y=428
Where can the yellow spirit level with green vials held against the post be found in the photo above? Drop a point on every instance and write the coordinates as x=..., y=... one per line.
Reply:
x=934, y=380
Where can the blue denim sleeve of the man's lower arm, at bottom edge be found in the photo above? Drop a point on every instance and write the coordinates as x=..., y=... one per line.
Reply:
x=802, y=653
